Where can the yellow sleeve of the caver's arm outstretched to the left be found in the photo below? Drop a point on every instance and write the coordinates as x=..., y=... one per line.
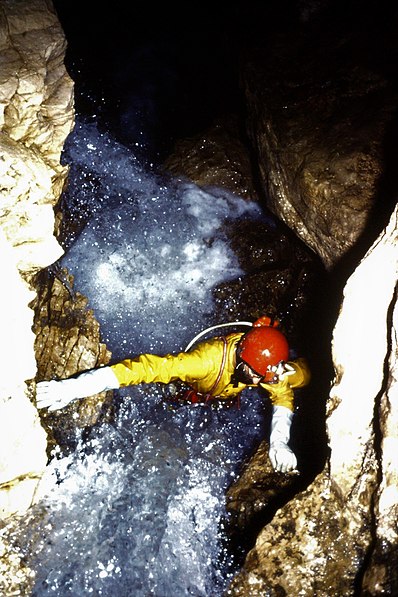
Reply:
x=148, y=368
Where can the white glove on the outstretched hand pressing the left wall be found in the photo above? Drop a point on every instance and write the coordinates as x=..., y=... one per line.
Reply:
x=57, y=394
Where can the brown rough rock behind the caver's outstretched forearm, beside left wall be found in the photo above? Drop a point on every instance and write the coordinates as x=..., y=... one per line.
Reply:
x=67, y=342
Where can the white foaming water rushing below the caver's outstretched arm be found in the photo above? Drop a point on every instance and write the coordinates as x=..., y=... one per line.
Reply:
x=136, y=509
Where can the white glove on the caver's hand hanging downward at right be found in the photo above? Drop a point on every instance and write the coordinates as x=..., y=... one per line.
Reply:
x=281, y=456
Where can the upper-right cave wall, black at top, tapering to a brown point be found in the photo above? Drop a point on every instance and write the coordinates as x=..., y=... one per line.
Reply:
x=324, y=134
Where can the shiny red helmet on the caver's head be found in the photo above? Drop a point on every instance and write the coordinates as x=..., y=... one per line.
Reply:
x=264, y=345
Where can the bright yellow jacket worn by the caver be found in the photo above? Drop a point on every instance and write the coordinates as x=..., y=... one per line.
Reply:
x=207, y=368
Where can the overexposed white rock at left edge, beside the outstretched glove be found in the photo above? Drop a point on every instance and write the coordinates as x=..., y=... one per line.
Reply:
x=23, y=441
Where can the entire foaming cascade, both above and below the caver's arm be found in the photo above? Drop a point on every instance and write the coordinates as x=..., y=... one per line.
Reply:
x=136, y=509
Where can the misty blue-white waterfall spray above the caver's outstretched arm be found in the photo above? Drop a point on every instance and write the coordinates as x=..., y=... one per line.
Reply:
x=152, y=252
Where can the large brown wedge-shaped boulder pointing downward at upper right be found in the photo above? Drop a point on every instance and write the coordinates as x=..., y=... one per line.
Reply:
x=320, y=137
